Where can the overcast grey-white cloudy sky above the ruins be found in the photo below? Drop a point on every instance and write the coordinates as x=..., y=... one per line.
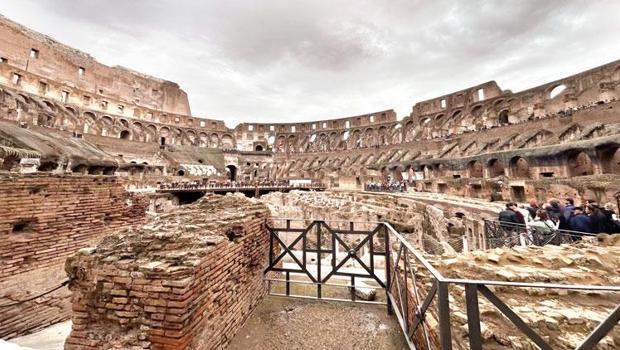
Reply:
x=297, y=60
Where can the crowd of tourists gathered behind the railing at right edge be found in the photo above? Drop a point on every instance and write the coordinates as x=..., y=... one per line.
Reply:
x=555, y=215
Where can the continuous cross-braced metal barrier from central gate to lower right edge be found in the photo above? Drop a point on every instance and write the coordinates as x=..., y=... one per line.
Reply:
x=402, y=281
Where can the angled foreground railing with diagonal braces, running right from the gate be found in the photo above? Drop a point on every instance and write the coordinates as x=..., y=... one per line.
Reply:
x=405, y=288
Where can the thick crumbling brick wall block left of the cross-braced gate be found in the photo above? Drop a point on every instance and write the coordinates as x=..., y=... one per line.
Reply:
x=187, y=279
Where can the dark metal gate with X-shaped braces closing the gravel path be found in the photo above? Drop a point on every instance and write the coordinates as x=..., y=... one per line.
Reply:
x=309, y=246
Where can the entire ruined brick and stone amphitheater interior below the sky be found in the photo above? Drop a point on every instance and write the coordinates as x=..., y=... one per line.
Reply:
x=129, y=223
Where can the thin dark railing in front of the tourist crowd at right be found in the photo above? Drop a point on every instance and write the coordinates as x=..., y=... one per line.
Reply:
x=506, y=234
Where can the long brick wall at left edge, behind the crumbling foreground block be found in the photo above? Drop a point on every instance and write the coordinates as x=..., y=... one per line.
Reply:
x=43, y=219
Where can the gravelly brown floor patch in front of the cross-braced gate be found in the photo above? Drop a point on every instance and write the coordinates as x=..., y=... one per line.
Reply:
x=286, y=323
